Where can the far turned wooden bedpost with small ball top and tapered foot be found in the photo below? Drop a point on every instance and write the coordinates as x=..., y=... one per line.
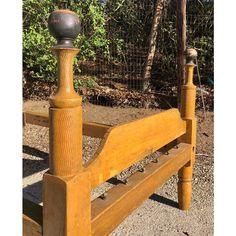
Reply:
x=187, y=109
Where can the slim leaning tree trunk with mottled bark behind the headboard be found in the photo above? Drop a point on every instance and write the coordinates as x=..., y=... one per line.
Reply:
x=152, y=42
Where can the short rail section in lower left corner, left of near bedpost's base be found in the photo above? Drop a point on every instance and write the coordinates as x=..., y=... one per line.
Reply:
x=32, y=218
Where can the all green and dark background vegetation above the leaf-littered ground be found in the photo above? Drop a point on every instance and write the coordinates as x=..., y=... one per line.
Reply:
x=111, y=28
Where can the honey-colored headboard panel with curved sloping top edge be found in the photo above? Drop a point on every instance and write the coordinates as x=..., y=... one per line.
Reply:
x=128, y=143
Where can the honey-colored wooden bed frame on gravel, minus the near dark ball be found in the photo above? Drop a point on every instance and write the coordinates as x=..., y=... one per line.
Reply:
x=67, y=208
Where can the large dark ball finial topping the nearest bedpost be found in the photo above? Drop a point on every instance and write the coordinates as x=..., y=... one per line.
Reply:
x=64, y=25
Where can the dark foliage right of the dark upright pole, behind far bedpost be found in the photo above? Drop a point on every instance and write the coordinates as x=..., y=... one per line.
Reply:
x=200, y=35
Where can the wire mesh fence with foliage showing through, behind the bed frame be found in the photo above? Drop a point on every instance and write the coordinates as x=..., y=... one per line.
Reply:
x=113, y=73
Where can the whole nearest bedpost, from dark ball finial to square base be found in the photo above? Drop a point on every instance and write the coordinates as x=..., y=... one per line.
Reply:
x=66, y=187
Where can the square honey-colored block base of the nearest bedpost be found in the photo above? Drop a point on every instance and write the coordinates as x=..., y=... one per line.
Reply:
x=67, y=206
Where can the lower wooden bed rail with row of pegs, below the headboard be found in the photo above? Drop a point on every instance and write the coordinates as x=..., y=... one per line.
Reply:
x=108, y=213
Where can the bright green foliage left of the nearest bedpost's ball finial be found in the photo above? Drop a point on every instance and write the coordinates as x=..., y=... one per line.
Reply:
x=38, y=62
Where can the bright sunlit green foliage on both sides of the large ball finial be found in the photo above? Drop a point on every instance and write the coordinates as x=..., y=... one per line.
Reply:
x=38, y=62
